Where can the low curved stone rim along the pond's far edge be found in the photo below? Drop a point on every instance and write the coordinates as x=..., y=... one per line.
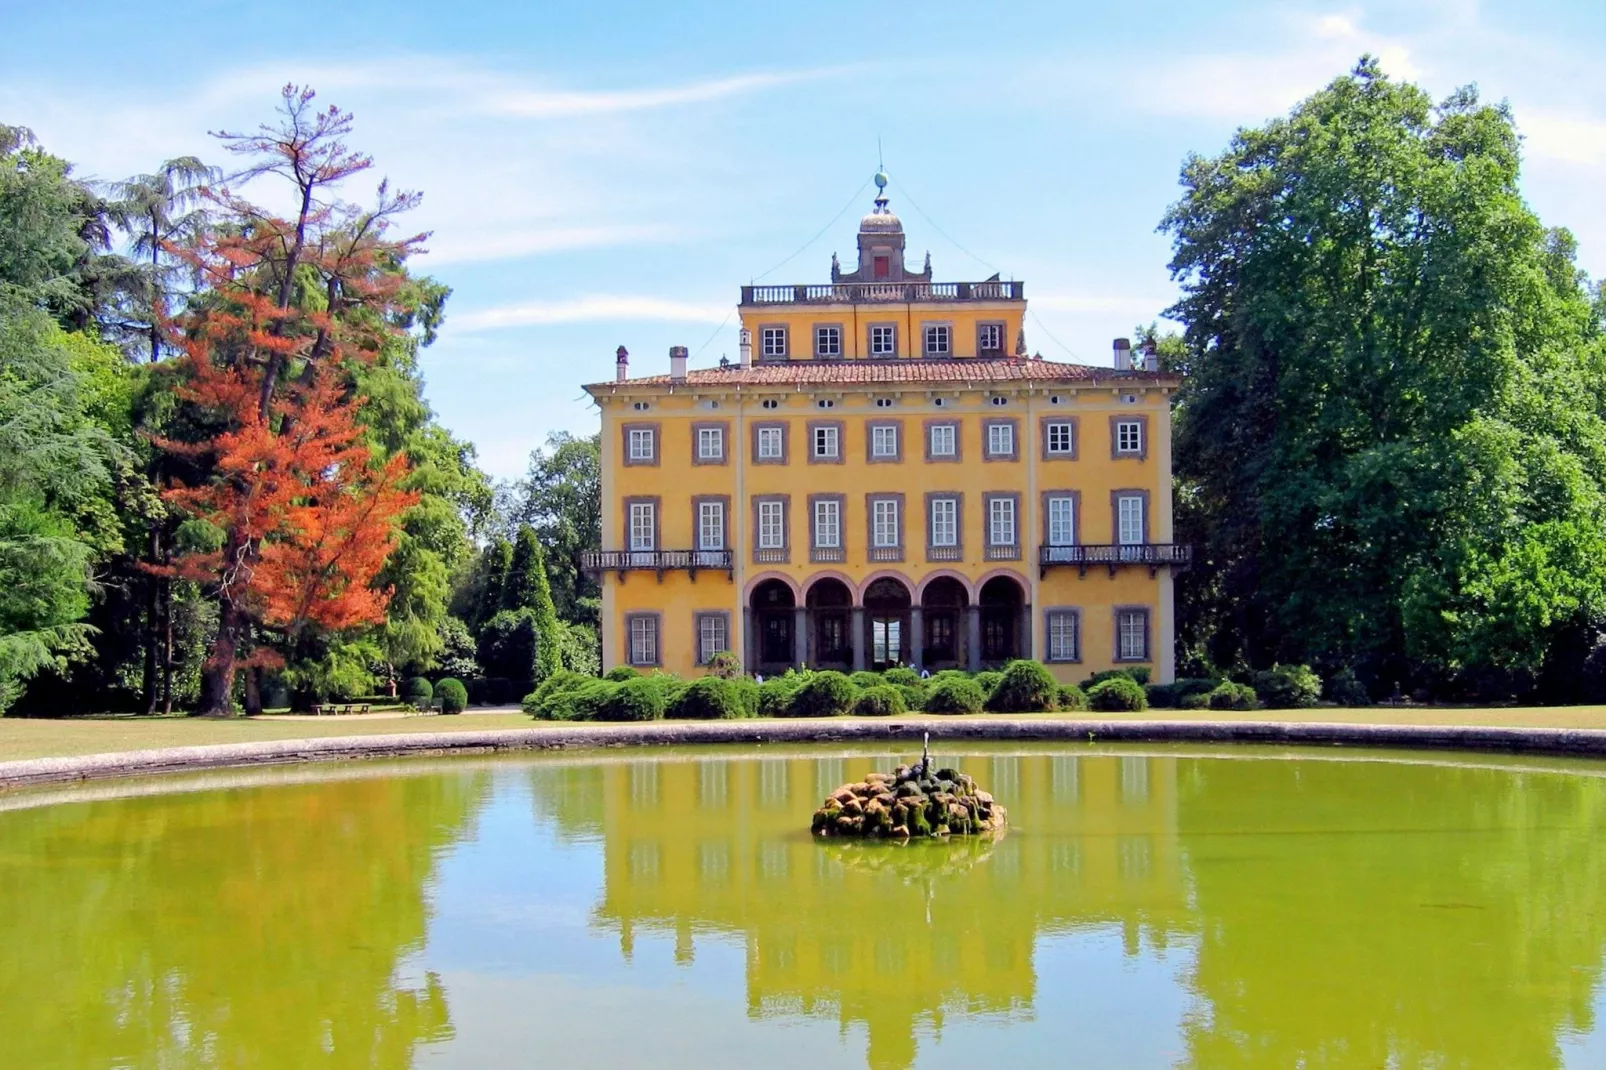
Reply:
x=1580, y=743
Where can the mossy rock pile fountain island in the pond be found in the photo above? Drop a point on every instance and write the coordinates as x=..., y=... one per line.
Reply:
x=911, y=802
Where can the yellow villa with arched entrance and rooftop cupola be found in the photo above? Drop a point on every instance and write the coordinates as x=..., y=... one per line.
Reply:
x=887, y=478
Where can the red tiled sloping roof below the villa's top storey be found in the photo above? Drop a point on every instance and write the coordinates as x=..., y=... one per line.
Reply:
x=802, y=374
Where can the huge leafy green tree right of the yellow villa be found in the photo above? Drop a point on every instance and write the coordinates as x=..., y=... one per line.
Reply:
x=1390, y=446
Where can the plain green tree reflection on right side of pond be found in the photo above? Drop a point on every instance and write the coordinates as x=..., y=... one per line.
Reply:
x=1454, y=925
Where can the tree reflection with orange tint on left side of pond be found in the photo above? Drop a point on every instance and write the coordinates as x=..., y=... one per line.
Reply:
x=250, y=928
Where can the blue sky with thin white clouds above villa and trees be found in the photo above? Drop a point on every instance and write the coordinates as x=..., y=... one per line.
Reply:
x=611, y=174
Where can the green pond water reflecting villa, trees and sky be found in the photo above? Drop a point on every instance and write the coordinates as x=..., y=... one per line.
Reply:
x=1147, y=909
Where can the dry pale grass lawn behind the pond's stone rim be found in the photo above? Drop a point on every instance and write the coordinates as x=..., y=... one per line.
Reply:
x=23, y=738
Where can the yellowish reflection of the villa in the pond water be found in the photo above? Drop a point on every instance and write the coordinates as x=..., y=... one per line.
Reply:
x=720, y=847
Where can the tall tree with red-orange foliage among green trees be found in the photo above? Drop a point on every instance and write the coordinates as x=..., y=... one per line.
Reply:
x=306, y=515
